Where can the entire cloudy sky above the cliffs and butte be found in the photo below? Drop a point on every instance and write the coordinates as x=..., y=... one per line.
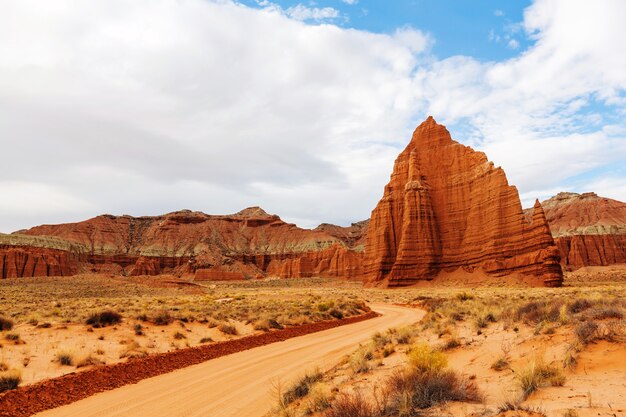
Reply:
x=152, y=106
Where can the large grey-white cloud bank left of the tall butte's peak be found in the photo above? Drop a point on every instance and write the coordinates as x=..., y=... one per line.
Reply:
x=123, y=111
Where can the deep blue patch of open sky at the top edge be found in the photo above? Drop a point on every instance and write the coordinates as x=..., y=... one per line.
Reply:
x=481, y=28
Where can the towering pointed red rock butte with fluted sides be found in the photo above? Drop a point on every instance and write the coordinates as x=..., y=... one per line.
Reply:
x=447, y=207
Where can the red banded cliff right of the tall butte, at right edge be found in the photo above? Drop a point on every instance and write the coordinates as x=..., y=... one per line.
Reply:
x=589, y=230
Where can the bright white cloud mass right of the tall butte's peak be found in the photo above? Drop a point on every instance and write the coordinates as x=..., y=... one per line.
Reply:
x=541, y=114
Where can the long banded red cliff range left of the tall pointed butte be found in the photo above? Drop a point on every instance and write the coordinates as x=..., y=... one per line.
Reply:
x=247, y=244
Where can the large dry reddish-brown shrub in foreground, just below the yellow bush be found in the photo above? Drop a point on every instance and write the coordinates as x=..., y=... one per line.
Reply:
x=416, y=389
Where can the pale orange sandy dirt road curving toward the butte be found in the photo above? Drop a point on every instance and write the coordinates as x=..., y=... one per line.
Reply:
x=240, y=384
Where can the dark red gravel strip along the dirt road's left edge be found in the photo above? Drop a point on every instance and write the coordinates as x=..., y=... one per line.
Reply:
x=52, y=393
